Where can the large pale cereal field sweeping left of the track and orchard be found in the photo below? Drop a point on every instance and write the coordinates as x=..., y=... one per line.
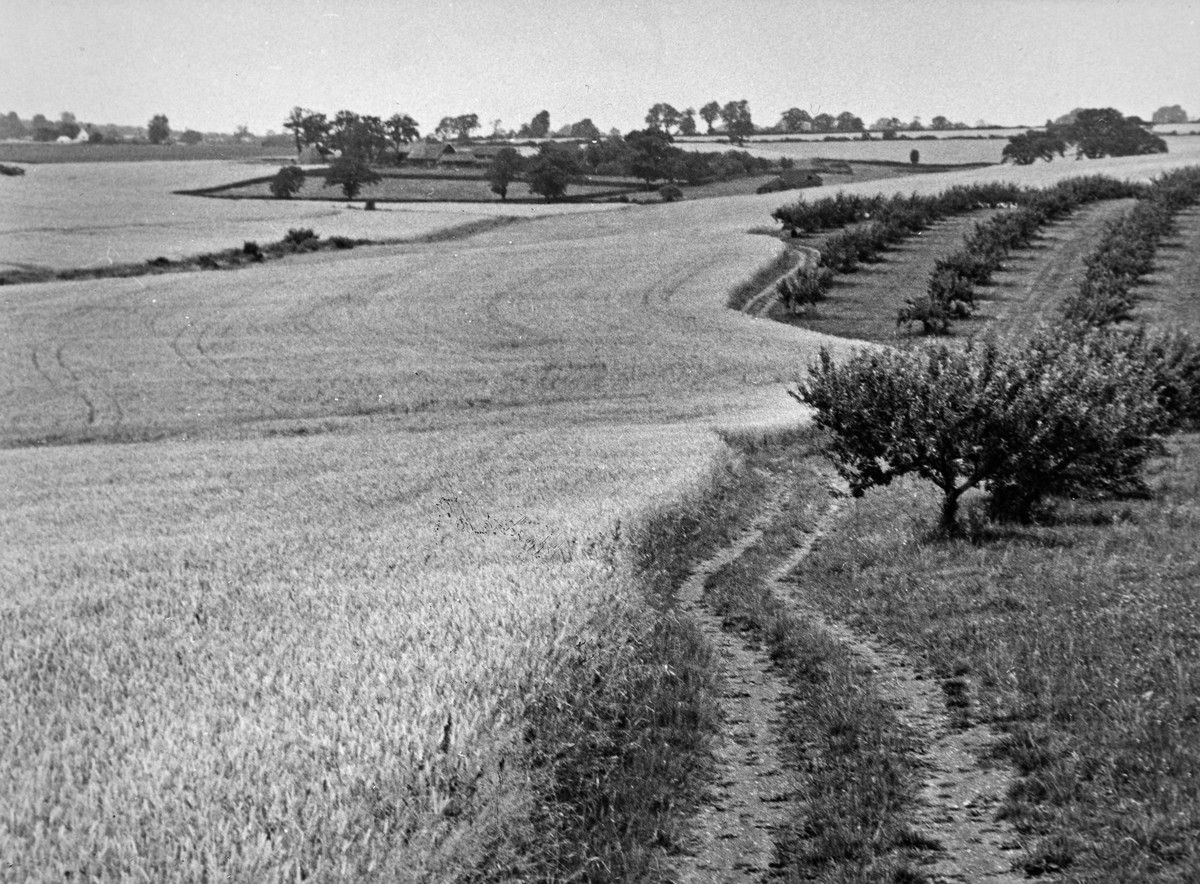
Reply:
x=341, y=522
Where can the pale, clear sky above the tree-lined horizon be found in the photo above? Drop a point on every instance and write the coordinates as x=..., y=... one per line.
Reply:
x=213, y=65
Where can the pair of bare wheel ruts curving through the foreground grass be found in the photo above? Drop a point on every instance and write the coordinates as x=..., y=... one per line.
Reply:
x=754, y=795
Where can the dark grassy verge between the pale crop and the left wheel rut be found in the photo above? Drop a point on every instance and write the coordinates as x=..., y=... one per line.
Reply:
x=619, y=748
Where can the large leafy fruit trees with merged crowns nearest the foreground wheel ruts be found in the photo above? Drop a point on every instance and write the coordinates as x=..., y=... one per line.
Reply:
x=1064, y=413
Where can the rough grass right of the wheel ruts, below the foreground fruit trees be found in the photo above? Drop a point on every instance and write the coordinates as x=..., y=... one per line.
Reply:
x=1081, y=639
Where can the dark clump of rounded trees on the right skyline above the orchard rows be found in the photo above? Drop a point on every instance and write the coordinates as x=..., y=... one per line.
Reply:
x=1093, y=133
